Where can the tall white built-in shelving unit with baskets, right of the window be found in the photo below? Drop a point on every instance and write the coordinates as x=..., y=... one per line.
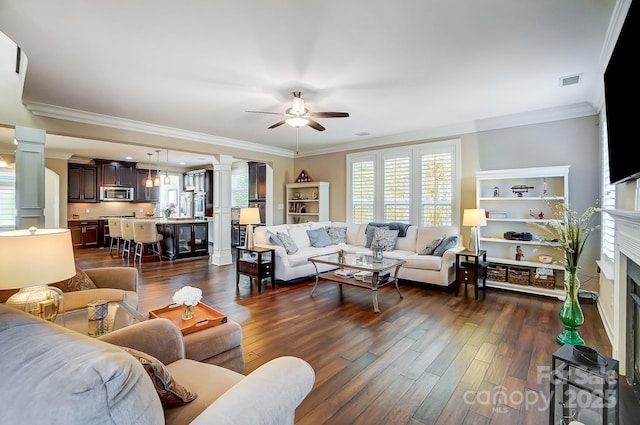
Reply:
x=513, y=200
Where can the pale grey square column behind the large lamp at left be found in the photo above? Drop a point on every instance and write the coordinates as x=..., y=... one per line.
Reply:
x=30, y=167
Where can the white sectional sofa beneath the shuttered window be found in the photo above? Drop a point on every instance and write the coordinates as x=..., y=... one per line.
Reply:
x=429, y=269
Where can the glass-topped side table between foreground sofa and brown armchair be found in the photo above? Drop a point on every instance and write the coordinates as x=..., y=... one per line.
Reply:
x=119, y=315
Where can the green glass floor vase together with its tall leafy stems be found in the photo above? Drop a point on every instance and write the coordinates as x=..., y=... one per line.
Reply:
x=571, y=231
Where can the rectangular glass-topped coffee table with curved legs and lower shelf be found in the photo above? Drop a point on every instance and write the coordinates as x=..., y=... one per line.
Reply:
x=348, y=266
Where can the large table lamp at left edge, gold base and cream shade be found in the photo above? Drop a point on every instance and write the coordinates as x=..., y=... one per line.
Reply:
x=29, y=260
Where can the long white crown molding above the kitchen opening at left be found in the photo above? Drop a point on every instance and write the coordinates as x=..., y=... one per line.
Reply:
x=68, y=114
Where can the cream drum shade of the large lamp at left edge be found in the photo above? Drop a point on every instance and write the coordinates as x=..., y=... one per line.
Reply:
x=31, y=257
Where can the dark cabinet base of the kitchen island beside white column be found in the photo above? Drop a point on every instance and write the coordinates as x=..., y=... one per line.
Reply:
x=183, y=239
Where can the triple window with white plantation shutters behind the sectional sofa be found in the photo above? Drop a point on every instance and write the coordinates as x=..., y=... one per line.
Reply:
x=417, y=184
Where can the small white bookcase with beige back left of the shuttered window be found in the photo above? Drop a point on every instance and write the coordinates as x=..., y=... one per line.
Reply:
x=307, y=201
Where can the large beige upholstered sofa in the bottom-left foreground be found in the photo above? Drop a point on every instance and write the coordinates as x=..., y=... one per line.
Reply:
x=51, y=374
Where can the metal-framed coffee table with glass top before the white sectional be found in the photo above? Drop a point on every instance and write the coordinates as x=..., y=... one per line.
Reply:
x=349, y=262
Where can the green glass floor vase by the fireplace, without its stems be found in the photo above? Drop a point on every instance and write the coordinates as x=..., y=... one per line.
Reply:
x=570, y=313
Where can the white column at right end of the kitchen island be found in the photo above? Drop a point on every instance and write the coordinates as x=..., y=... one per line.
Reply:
x=222, y=210
